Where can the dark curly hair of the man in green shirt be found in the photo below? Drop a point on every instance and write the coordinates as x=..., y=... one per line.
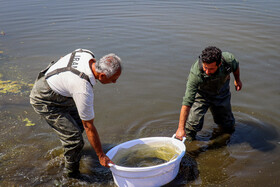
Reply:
x=211, y=54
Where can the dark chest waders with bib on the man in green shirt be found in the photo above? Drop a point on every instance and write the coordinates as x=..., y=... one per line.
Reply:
x=213, y=93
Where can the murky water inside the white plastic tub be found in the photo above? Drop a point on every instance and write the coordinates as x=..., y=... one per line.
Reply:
x=145, y=155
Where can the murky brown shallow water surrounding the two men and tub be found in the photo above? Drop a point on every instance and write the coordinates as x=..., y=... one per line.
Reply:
x=158, y=41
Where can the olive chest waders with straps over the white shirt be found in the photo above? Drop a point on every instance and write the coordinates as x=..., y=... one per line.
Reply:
x=61, y=114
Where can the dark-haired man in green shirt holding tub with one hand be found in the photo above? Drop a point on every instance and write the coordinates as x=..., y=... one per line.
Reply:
x=208, y=87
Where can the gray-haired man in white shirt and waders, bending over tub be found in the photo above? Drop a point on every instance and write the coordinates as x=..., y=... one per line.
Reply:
x=63, y=95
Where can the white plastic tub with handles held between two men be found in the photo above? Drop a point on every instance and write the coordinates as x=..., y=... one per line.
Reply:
x=147, y=176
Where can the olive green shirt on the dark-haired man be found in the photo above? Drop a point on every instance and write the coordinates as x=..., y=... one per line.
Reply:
x=211, y=85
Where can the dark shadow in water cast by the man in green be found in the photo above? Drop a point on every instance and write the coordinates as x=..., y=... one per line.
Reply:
x=259, y=136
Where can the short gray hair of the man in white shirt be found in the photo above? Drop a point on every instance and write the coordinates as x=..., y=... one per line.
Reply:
x=108, y=64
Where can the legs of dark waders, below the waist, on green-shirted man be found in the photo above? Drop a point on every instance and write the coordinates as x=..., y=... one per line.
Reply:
x=219, y=106
